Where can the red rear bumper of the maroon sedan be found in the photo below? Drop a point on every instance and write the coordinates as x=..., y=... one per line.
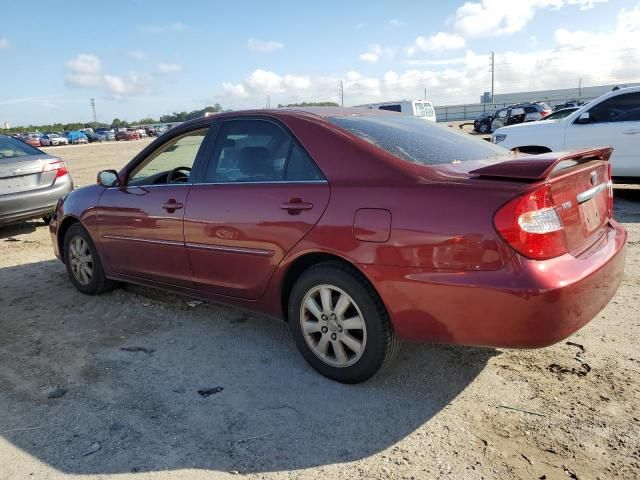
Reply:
x=527, y=304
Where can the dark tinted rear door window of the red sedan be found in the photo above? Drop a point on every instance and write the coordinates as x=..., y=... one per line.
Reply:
x=258, y=151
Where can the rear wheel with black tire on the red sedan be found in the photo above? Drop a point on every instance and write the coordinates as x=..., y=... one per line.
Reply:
x=350, y=337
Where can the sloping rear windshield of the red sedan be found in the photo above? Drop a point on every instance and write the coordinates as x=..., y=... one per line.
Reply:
x=417, y=141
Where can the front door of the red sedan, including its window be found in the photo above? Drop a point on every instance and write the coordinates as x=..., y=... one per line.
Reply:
x=141, y=222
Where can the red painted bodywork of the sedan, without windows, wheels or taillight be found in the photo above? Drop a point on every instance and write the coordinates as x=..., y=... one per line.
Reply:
x=422, y=235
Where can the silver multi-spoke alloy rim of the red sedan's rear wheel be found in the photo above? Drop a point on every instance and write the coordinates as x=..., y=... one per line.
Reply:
x=333, y=325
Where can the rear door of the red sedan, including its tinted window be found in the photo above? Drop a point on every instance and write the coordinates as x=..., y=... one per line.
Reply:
x=260, y=195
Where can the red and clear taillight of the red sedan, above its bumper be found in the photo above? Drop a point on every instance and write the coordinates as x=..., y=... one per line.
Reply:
x=532, y=226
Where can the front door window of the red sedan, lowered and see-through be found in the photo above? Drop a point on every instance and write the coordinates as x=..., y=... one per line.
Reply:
x=180, y=151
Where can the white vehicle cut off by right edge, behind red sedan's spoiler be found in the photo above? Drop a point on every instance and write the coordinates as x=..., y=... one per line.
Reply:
x=611, y=120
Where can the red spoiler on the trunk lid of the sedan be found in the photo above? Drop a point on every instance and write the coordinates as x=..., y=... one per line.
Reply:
x=541, y=166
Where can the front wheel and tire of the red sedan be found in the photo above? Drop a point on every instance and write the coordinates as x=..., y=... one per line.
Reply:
x=80, y=252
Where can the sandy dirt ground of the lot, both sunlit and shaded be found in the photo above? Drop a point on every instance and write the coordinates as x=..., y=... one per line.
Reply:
x=93, y=387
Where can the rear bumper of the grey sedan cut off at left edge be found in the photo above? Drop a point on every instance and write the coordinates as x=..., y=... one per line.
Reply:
x=22, y=206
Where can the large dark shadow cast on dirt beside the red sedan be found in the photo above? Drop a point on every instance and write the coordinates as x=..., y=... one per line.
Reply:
x=139, y=409
